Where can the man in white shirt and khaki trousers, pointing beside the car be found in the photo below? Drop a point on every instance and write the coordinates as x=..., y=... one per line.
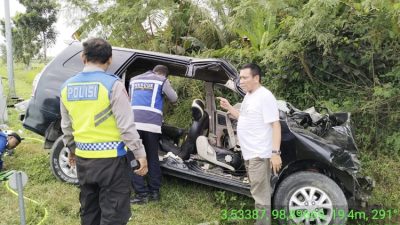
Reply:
x=259, y=133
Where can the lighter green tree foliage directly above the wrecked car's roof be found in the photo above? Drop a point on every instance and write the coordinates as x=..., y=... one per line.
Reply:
x=174, y=26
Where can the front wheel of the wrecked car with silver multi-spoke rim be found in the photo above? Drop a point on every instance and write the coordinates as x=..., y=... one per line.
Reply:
x=316, y=187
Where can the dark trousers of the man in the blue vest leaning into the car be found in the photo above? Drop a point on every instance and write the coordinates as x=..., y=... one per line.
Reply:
x=151, y=144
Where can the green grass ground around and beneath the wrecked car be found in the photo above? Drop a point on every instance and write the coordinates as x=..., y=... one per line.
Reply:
x=182, y=202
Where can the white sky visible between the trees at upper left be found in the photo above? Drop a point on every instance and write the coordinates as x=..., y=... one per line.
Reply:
x=63, y=29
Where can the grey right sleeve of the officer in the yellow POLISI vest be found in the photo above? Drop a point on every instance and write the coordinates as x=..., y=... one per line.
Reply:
x=121, y=109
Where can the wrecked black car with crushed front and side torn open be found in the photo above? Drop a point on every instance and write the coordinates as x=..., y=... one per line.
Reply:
x=320, y=166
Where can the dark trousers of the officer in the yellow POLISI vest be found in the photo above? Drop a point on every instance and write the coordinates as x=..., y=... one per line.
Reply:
x=105, y=191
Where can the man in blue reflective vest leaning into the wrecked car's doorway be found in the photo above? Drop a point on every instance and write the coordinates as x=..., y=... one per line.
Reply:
x=147, y=91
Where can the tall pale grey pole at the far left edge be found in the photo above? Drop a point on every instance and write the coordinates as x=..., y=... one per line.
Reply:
x=10, y=65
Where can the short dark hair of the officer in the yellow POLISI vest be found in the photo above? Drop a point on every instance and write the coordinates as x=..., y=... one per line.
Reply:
x=97, y=50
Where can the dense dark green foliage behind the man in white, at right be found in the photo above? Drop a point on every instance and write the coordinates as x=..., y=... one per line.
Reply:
x=343, y=55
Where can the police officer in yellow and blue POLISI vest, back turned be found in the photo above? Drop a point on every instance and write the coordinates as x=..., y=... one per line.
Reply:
x=98, y=126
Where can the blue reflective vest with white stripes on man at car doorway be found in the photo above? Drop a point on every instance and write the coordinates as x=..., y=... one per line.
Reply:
x=147, y=101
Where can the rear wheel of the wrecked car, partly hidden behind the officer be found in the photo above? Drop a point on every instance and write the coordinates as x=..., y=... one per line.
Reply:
x=58, y=157
